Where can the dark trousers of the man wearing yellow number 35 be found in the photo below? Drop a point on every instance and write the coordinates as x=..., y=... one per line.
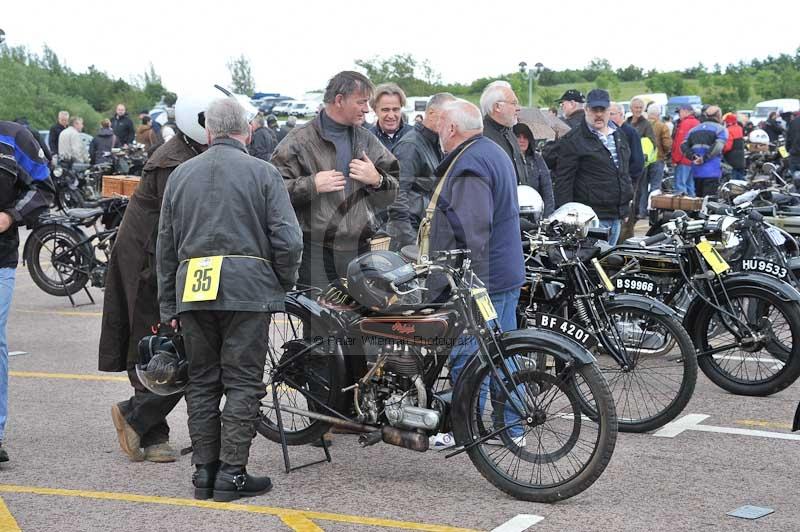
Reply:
x=226, y=352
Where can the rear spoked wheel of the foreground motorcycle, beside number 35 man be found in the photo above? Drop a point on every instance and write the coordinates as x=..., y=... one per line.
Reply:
x=309, y=379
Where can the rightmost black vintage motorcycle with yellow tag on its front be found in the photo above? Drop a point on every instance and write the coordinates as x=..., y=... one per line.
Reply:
x=745, y=325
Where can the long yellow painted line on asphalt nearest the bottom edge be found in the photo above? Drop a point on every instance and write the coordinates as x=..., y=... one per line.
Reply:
x=289, y=516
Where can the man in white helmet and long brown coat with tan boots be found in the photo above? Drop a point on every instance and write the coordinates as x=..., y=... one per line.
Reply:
x=130, y=305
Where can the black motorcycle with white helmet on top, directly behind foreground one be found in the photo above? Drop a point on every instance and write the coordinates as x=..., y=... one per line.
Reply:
x=642, y=349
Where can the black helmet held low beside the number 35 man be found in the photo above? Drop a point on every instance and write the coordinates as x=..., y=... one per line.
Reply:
x=163, y=368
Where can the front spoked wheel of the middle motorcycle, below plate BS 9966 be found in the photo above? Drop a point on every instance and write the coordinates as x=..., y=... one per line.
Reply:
x=660, y=381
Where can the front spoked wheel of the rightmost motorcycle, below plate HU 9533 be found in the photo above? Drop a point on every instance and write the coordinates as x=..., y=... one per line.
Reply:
x=740, y=355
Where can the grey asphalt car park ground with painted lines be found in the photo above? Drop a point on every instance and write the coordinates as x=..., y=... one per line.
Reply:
x=67, y=472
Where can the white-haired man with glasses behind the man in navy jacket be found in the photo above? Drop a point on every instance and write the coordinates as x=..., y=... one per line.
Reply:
x=500, y=108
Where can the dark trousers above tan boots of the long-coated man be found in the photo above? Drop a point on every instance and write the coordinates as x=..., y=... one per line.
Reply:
x=147, y=412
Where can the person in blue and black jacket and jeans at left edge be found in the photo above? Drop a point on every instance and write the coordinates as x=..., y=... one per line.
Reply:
x=25, y=191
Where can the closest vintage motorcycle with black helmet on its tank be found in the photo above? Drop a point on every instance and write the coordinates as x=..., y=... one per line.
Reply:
x=526, y=430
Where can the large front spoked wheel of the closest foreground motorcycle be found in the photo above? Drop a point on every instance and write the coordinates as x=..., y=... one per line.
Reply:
x=552, y=453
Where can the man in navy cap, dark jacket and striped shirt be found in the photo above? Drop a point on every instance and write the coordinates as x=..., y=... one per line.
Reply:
x=593, y=166
